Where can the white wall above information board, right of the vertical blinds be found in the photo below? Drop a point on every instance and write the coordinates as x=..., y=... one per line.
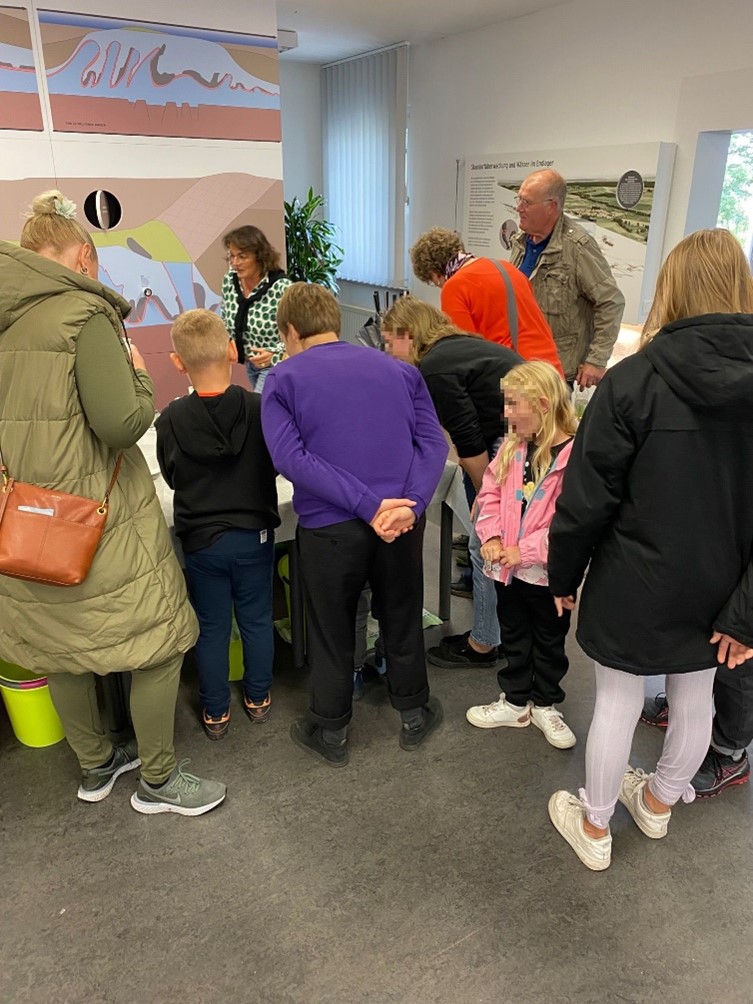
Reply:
x=589, y=74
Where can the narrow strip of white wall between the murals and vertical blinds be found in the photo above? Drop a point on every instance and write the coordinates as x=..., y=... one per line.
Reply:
x=301, y=98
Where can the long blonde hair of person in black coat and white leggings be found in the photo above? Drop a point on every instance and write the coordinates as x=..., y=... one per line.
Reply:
x=706, y=274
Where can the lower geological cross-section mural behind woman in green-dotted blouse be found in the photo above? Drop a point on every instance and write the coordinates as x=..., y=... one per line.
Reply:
x=167, y=255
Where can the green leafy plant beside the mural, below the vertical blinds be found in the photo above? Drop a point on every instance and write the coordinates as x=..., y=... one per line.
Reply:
x=313, y=256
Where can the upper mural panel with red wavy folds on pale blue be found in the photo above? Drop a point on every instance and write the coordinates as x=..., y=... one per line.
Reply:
x=137, y=79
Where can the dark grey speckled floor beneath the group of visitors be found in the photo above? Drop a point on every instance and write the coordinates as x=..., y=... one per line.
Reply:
x=433, y=877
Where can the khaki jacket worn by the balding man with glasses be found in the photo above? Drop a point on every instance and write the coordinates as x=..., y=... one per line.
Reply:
x=578, y=295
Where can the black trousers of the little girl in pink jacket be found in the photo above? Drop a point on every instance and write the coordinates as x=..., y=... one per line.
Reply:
x=533, y=645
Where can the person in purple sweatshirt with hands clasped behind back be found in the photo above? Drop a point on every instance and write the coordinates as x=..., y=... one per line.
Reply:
x=357, y=434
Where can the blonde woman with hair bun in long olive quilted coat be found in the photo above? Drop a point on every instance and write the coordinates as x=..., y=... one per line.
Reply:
x=71, y=401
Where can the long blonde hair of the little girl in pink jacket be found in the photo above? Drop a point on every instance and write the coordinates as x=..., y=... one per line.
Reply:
x=544, y=388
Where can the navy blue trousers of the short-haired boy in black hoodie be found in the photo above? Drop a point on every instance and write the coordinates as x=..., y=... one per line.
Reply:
x=235, y=572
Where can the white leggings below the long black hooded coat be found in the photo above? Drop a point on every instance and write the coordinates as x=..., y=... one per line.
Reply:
x=620, y=701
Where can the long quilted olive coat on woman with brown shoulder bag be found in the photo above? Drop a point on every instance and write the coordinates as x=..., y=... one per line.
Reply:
x=132, y=612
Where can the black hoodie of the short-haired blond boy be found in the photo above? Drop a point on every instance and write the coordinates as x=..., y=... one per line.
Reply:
x=212, y=453
